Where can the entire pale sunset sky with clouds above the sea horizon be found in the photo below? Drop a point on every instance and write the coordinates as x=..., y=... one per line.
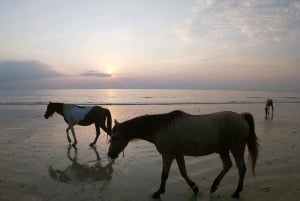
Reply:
x=194, y=44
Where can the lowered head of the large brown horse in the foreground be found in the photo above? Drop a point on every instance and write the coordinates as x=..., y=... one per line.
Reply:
x=118, y=141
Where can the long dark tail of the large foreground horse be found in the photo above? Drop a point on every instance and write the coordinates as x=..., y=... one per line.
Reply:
x=252, y=141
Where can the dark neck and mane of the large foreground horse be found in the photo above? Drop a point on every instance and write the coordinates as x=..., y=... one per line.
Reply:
x=148, y=125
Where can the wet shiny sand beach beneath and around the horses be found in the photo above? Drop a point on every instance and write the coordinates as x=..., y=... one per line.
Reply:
x=37, y=164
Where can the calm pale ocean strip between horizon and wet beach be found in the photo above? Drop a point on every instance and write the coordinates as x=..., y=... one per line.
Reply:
x=142, y=97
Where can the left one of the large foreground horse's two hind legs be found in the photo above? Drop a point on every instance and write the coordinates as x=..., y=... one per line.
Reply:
x=227, y=164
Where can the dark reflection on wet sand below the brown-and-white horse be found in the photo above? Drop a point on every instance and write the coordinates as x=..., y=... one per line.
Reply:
x=80, y=172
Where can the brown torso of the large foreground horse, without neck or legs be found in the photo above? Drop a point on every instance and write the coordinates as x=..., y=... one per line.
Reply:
x=204, y=134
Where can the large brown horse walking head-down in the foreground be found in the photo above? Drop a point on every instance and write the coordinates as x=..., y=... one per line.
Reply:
x=176, y=134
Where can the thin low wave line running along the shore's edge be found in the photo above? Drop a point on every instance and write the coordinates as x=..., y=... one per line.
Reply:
x=155, y=103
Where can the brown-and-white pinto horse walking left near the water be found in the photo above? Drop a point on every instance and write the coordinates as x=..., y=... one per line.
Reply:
x=83, y=116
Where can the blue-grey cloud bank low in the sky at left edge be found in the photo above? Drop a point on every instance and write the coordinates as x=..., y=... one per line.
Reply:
x=25, y=70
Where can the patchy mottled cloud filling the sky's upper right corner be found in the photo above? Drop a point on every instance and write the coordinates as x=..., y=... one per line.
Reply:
x=245, y=21
